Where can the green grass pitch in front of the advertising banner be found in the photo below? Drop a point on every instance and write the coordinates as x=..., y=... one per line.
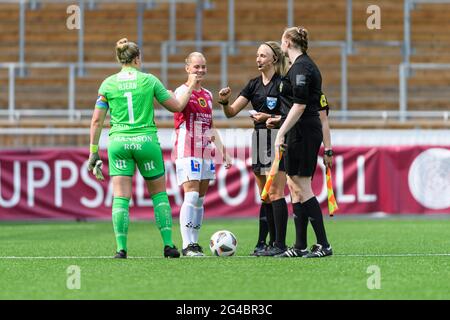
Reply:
x=412, y=254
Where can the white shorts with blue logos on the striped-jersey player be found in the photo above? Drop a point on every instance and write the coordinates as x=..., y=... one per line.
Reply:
x=191, y=168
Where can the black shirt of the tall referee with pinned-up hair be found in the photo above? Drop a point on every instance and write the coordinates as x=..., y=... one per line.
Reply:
x=303, y=85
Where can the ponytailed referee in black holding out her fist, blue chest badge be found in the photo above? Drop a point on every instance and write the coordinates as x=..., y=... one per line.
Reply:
x=263, y=93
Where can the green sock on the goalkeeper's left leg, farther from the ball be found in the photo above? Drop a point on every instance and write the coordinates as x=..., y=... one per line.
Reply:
x=121, y=220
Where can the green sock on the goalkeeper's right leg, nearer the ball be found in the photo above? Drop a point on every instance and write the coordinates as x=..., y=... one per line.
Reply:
x=163, y=217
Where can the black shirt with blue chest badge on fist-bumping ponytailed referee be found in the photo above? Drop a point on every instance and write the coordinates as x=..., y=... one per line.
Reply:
x=264, y=98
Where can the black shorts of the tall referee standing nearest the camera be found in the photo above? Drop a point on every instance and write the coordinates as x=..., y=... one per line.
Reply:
x=303, y=144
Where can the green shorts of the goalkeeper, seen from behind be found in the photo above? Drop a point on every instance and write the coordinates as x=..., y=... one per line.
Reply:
x=125, y=152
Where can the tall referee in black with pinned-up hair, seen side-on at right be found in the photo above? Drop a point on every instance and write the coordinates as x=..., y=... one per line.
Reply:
x=301, y=135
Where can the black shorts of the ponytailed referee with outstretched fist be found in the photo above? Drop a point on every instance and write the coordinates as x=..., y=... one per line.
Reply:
x=263, y=152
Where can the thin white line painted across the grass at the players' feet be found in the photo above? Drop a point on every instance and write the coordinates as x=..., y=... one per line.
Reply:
x=234, y=257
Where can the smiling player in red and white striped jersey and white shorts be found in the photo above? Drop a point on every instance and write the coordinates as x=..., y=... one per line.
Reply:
x=194, y=162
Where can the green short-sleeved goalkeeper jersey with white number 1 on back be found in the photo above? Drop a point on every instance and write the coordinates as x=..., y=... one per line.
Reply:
x=129, y=96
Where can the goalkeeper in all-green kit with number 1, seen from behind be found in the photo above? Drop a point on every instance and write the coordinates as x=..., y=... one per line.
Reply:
x=133, y=141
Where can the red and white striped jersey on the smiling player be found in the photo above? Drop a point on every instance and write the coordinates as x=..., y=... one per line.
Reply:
x=193, y=125
